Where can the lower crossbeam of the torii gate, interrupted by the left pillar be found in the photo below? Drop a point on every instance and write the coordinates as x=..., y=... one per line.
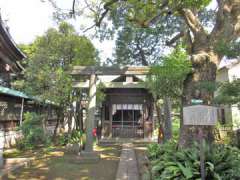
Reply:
x=85, y=85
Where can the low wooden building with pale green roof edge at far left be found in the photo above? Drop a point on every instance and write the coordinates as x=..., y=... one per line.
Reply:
x=13, y=104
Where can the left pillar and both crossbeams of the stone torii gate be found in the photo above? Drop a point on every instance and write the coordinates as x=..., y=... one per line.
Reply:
x=93, y=72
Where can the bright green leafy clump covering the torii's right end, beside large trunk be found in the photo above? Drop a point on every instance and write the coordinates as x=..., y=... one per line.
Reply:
x=167, y=78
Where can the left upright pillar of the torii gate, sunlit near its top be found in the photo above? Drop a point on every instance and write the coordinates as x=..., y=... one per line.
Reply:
x=91, y=113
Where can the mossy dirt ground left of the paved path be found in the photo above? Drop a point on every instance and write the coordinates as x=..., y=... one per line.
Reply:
x=57, y=165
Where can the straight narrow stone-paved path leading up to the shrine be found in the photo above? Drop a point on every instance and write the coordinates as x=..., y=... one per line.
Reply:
x=127, y=168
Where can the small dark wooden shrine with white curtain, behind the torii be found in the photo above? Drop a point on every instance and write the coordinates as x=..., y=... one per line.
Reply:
x=127, y=112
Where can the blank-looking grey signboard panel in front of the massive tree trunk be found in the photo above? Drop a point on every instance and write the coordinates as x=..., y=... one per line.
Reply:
x=200, y=115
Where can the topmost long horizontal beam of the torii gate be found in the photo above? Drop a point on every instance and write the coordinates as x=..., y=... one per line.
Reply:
x=88, y=70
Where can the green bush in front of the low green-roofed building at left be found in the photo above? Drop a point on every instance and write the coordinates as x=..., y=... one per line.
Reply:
x=33, y=133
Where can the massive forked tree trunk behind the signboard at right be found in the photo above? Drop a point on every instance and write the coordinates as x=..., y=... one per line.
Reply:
x=201, y=46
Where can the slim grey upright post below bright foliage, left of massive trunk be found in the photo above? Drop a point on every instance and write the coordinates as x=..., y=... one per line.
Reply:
x=167, y=119
